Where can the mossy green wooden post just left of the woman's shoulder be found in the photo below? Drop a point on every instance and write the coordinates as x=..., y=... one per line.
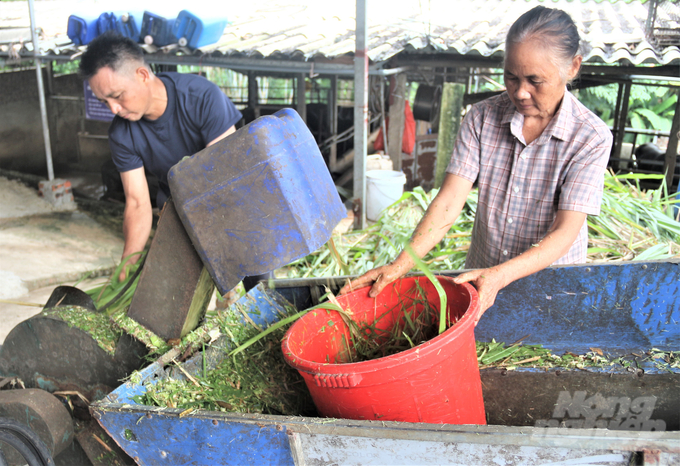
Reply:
x=449, y=123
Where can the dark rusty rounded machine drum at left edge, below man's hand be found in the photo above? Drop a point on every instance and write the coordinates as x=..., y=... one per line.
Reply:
x=45, y=352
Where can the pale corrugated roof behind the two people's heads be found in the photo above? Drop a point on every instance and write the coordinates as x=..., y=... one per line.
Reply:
x=313, y=30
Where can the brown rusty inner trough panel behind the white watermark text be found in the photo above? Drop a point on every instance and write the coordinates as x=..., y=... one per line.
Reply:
x=633, y=401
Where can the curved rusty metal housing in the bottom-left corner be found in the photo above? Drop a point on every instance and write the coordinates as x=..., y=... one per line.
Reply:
x=43, y=413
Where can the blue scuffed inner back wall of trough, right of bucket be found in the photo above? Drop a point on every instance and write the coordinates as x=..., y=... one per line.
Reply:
x=622, y=308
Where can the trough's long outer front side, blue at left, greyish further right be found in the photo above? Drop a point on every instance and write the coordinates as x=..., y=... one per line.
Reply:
x=163, y=437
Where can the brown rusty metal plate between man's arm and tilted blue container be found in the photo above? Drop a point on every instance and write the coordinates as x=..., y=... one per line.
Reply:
x=168, y=281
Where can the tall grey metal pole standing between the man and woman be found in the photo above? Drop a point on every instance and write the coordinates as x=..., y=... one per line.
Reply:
x=360, y=115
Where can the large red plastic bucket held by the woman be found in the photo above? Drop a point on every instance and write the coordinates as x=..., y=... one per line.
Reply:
x=435, y=382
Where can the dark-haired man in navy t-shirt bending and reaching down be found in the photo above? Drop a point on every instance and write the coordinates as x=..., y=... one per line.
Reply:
x=159, y=120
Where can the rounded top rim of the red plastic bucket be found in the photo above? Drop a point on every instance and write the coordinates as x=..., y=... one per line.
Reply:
x=386, y=362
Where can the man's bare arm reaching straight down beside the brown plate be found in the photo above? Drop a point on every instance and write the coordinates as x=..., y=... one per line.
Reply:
x=137, y=216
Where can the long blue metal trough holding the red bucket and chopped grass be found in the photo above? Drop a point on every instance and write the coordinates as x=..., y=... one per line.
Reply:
x=615, y=415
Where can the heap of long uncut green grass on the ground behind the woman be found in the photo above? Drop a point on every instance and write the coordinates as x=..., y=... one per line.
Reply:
x=633, y=225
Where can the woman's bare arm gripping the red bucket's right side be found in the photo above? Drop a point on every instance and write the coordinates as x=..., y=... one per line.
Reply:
x=554, y=245
